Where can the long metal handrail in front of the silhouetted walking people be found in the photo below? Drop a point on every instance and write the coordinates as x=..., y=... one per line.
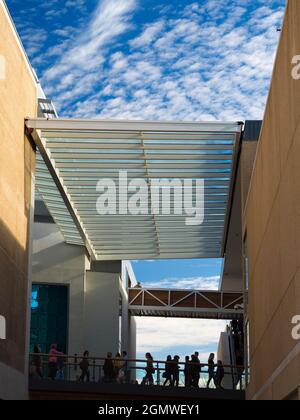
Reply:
x=70, y=370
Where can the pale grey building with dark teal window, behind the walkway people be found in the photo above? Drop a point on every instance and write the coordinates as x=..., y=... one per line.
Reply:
x=93, y=314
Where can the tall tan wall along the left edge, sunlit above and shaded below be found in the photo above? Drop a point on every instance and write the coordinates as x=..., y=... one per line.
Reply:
x=18, y=92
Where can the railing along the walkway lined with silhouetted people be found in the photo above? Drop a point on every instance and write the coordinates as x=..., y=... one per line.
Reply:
x=127, y=371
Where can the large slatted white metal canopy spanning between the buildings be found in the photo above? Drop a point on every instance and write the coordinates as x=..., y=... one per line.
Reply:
x=79, y=153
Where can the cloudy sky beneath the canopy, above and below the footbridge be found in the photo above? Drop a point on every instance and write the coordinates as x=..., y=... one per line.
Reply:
x=174, y=336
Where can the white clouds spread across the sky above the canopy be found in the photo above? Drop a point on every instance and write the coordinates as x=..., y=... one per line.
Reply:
x=208, y=60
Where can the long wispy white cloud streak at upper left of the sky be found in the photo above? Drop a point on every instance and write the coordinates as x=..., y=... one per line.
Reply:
x=83, y=57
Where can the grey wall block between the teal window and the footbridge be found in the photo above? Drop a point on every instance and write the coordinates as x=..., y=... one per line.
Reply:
x=105, y=283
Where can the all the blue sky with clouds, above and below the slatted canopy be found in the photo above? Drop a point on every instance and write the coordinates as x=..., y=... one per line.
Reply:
x=166, y=60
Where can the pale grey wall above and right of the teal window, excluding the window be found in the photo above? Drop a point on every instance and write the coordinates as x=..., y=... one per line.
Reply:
x=93, y=293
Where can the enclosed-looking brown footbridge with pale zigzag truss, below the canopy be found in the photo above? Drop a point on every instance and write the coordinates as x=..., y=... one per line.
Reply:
x=186, y=303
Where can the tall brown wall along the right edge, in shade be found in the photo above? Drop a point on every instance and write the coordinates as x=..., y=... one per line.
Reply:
x=272, y=220
